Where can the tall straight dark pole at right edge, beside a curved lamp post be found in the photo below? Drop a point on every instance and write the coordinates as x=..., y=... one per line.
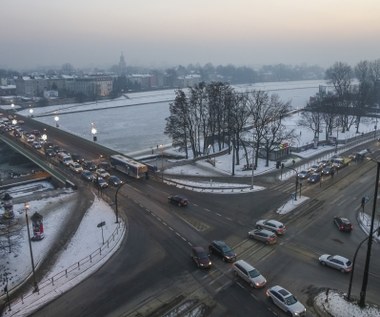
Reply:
x=370, y=237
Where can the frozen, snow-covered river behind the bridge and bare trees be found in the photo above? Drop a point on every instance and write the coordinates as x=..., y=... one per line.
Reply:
x=137, y=122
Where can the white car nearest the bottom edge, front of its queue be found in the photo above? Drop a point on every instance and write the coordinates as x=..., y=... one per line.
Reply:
x=286, y=301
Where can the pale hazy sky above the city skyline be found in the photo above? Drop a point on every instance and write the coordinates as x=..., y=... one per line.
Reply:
x=163, y=33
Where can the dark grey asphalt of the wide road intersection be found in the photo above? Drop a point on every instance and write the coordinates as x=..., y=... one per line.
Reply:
x=152, y=271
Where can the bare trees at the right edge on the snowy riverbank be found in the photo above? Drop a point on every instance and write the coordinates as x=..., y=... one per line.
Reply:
x=355, y=94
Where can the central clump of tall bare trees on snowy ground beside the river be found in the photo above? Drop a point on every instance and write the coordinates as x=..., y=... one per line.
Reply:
x=215, y=115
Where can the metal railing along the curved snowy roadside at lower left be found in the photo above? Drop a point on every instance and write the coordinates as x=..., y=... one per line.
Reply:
x=46, y=292
